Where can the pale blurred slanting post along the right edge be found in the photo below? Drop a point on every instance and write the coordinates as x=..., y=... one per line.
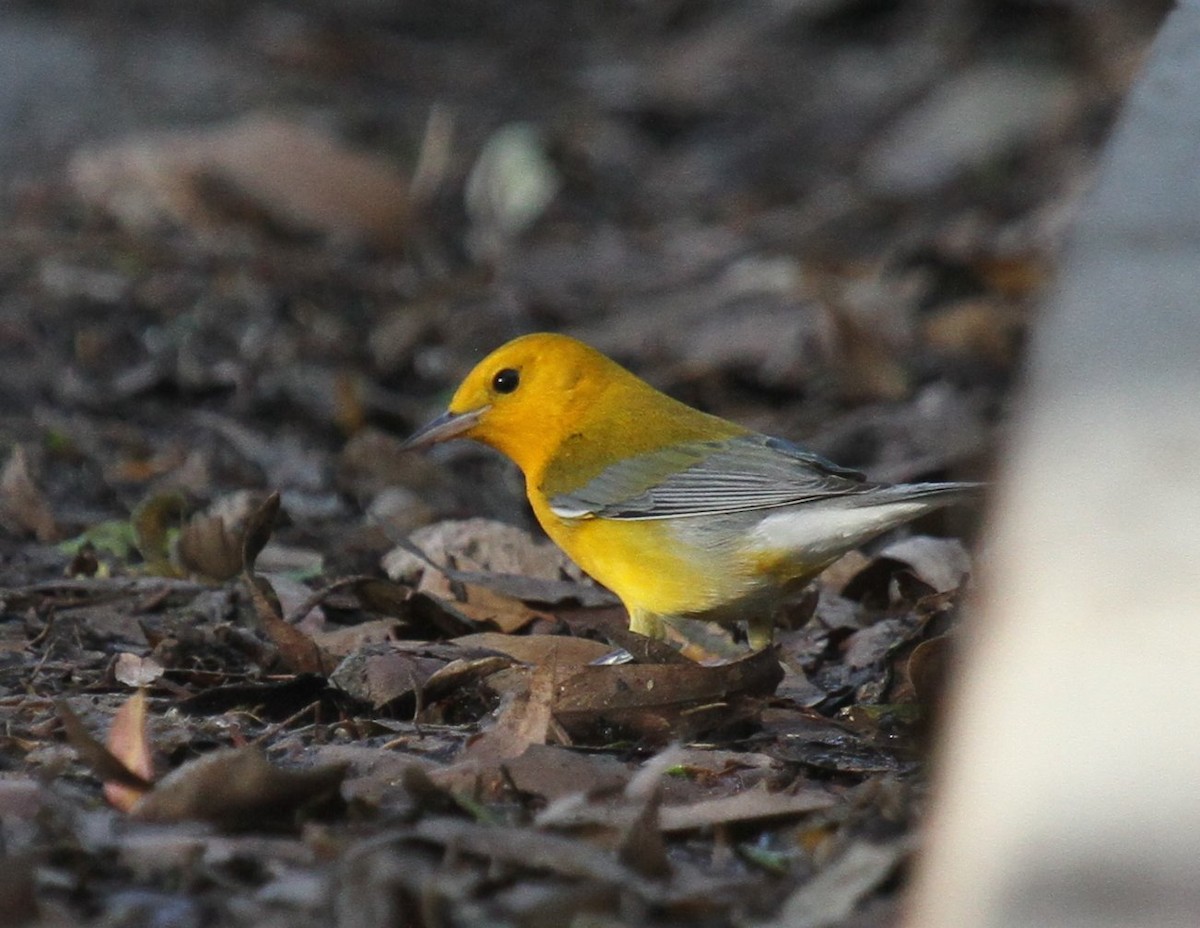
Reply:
x=1067, y=788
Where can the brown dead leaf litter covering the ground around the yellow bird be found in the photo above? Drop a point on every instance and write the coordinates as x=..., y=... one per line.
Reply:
x=364, y=688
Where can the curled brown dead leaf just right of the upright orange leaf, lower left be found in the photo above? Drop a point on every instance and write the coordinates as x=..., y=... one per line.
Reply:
x=239, y=789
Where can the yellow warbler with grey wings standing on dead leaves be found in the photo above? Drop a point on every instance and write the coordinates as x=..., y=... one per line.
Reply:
x=680, y=513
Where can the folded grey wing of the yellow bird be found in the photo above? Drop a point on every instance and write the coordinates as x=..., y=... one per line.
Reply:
x=709, y=478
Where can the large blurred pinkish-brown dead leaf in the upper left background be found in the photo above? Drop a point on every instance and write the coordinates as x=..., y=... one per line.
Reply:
x=260, y=167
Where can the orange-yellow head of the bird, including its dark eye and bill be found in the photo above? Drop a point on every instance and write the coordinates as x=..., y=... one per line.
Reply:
x=526, y=398
